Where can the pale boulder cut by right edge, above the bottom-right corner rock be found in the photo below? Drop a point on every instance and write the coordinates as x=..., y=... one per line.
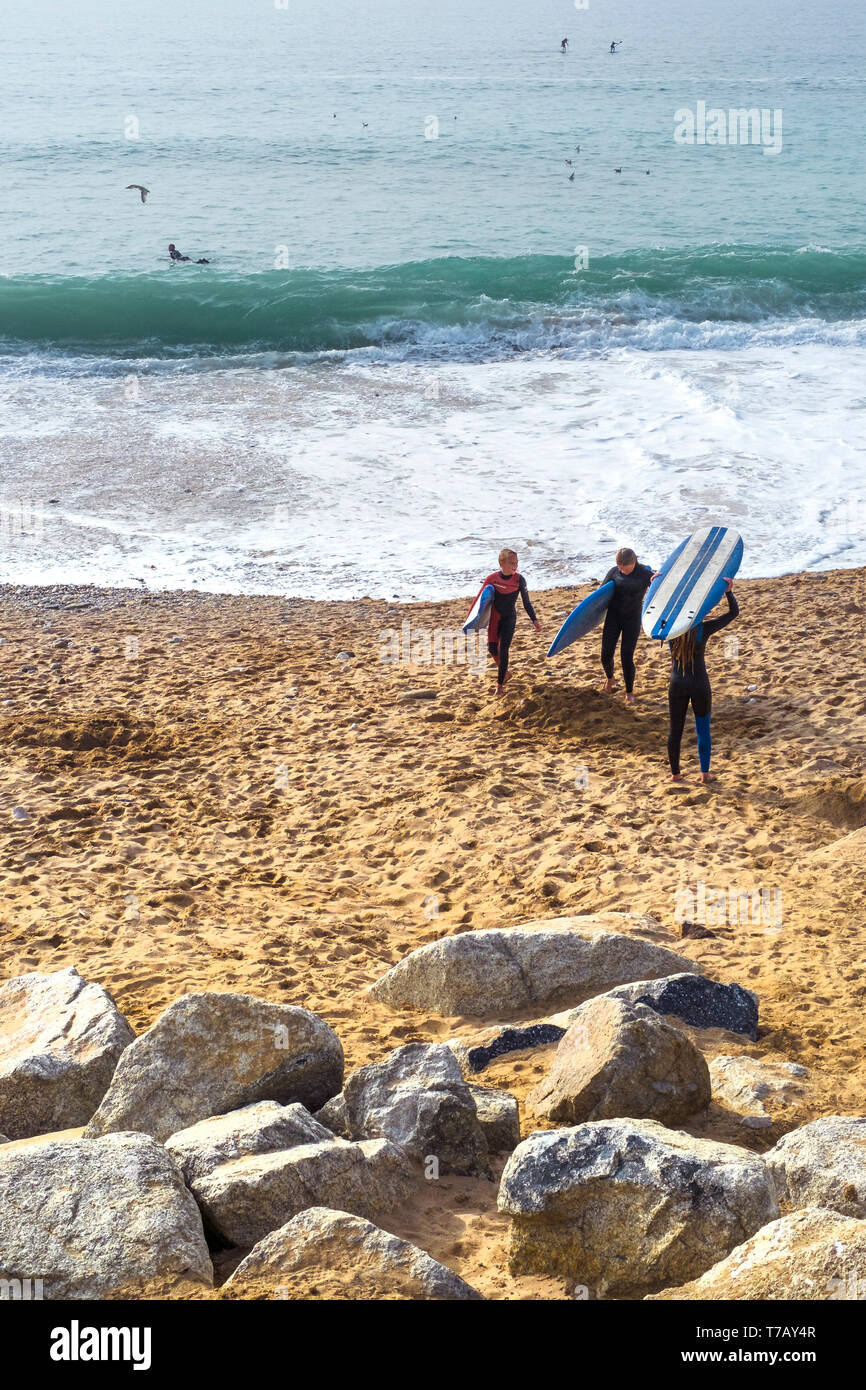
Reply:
x=824, y=1164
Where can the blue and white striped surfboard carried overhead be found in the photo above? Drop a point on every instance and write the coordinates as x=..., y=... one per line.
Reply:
x=692, y=582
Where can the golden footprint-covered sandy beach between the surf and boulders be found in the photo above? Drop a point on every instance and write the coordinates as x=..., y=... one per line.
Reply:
x=218, y=793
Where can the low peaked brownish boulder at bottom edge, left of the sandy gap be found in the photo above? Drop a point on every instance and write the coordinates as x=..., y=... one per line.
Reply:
x=333, y=1256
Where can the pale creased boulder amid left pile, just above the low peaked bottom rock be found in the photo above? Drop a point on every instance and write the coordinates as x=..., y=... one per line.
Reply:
x=256, y=1168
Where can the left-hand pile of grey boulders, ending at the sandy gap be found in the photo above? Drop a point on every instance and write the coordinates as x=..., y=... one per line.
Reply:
x=201, y=1134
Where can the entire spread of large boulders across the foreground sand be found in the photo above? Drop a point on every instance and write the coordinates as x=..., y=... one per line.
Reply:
x=231, y=1122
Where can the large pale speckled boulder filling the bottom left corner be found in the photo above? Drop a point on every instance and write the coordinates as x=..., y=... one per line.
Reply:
x=94, y=1218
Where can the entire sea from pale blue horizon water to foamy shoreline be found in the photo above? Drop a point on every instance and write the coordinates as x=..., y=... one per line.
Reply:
x=418, y=338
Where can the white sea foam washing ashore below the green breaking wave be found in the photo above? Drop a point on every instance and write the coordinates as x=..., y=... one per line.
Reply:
x=405, y=482
